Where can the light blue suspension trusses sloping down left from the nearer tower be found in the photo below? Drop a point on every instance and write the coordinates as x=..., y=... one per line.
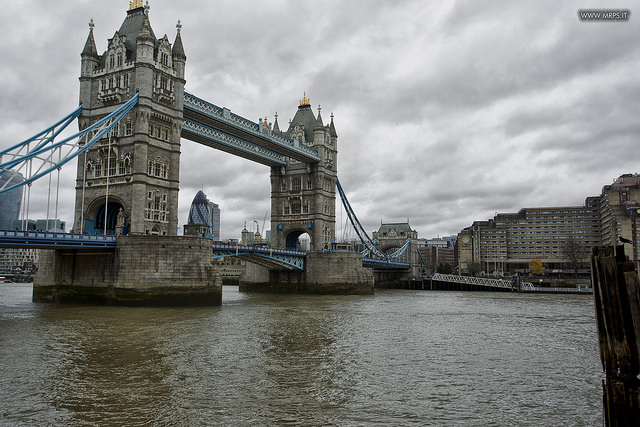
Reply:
x=40, y=155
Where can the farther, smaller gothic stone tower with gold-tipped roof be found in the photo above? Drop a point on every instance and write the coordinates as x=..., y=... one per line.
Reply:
x=303, y=195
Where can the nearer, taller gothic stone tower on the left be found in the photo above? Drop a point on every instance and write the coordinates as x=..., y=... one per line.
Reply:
x=128, y=182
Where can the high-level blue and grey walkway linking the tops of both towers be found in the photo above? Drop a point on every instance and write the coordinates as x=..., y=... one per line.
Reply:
x=219, y=128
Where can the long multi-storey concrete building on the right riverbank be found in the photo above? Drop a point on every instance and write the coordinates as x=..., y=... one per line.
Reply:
x=560, y=237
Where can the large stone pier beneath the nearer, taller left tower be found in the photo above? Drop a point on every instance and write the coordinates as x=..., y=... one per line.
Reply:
x=142, y=271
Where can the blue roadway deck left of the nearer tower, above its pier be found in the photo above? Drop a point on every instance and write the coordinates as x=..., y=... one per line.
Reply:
x=53, y=240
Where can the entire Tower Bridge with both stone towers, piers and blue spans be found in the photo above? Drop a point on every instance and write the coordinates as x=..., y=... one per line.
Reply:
x=133, y=112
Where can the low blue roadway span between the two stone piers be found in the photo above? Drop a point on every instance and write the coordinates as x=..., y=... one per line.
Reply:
x=272, y=258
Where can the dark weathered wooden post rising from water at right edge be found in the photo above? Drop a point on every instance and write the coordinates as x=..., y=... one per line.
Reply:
x=616, y=290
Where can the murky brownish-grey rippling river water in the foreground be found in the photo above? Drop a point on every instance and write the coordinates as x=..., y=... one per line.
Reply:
x=401, y=358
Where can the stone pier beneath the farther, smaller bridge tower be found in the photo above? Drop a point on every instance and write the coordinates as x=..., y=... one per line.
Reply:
x=325, y=273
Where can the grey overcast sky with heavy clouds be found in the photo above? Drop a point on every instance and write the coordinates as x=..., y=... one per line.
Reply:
x=446, y=112
